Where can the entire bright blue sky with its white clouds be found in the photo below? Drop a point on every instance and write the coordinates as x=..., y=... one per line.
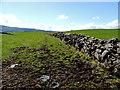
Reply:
x=59, y=16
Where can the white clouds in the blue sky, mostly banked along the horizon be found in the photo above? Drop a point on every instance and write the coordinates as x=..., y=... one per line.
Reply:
x=12, y=20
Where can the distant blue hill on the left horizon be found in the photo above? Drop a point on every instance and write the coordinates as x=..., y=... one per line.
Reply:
x=16, y=29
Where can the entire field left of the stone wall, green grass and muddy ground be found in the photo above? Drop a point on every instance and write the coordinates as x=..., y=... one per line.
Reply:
x=38, y=53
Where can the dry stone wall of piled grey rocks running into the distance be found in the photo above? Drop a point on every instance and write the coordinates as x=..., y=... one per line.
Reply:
x=105, y=51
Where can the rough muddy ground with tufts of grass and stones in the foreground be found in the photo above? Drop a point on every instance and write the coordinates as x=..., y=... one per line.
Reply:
x=46, y=68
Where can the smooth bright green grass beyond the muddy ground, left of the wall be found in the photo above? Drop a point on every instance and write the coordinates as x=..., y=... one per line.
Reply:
x=31, y=39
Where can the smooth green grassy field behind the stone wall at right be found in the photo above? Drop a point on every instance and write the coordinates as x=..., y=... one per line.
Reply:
x=97, y=33
